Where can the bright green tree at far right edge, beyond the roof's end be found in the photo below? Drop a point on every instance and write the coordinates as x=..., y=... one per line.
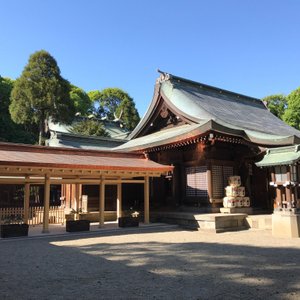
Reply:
x=292, y=114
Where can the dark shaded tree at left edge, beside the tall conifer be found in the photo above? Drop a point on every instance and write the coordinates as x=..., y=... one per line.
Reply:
x=10, y=131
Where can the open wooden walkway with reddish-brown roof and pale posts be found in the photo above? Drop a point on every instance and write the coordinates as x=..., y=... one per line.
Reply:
x=24, y=164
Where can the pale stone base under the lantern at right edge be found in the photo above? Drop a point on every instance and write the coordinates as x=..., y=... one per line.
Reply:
x=286, y=224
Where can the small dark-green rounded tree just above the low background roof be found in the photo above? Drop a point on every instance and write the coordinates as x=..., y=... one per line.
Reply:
x=90, y=127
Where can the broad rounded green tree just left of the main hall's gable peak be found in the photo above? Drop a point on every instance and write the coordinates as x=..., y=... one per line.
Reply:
x=117, y=105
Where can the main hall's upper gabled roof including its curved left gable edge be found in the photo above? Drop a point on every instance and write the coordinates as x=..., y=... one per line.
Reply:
x=198, y=102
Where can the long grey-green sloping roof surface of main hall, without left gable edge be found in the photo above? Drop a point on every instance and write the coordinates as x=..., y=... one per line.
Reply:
x=201, y=102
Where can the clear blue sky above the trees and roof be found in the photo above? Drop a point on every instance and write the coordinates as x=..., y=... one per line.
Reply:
x=250, y=46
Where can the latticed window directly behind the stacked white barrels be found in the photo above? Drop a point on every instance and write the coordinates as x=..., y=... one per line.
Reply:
x=220, y=176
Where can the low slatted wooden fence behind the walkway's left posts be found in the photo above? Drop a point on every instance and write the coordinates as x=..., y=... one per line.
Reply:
x=36, y=214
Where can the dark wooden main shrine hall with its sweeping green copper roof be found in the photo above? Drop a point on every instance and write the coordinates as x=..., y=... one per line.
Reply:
x=207, y=134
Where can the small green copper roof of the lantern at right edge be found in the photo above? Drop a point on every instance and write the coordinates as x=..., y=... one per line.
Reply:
x=280, y=156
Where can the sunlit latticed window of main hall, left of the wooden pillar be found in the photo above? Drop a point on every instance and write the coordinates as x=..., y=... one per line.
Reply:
x=196, y=182
